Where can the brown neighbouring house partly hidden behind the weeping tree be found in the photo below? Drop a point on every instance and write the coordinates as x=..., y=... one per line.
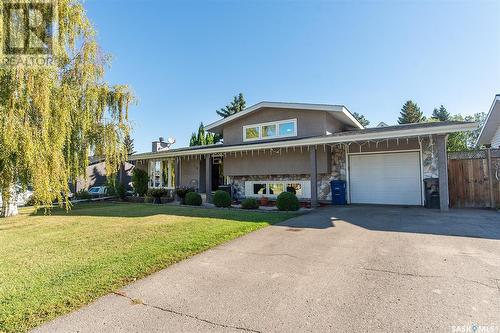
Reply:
x=95, y=175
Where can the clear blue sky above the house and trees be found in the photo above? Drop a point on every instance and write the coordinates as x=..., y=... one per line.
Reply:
x=186, y=59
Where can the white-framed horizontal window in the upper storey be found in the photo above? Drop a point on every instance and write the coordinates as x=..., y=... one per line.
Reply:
x=272, y=130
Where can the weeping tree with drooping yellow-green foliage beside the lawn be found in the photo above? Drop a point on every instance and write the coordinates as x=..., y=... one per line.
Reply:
x=53, y=117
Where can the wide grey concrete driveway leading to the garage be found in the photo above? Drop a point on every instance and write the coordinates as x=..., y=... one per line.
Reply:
x=355, y=269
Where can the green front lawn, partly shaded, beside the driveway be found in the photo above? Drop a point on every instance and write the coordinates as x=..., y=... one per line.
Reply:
x=50, y=265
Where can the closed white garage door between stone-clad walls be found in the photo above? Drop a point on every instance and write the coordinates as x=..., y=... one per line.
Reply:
x=385, y=179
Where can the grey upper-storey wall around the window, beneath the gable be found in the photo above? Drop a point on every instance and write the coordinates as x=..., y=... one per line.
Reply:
x=309, y=123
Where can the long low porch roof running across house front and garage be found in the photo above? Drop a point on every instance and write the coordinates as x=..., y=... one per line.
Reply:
x=377, y=133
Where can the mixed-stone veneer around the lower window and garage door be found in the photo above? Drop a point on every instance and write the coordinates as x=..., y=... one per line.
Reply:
x=339, y=171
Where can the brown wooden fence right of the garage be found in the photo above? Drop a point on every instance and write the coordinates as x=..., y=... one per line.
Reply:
x=473, y=178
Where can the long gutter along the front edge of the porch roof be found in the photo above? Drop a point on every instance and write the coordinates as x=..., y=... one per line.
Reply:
x=405, y=133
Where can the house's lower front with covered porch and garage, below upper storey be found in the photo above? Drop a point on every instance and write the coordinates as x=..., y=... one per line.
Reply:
x=306, y=168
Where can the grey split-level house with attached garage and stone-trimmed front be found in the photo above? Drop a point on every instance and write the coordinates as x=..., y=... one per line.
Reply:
x=273, y=147
